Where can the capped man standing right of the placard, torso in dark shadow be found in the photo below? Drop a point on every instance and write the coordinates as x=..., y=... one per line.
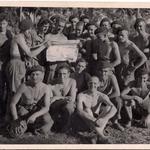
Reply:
x=104, y=49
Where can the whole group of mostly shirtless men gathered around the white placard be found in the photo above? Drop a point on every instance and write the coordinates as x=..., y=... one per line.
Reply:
x=111, y=73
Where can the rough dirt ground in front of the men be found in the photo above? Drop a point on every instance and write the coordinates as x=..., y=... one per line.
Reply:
x=132, y=135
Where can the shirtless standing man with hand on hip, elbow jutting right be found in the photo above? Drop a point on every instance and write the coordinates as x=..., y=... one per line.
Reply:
x=131, y=58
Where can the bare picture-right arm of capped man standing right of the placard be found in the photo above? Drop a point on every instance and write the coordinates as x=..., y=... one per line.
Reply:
x=116, y=52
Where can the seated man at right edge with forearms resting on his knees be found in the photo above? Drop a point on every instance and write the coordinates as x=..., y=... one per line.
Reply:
x=137, y=95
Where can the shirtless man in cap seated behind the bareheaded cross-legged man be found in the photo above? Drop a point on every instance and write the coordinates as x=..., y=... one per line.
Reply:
x=110, y=87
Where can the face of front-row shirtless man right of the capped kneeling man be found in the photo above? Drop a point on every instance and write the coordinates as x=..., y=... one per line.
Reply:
x=63, y=74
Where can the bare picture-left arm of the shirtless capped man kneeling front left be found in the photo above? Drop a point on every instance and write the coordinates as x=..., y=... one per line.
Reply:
x=15, y=101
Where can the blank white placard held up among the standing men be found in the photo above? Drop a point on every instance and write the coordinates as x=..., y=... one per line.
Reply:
x=62, y=51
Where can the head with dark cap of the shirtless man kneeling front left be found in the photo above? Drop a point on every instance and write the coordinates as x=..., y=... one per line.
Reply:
x=36, y=74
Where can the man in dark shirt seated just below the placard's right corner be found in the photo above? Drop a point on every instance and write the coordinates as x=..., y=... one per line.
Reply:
x=81, y=76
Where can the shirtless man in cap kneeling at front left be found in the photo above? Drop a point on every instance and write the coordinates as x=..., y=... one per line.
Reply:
x=32, y=100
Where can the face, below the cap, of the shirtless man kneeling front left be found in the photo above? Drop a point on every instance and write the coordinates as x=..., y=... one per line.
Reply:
x=37, y=76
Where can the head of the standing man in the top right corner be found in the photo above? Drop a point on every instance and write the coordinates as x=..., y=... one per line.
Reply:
x=140, y=25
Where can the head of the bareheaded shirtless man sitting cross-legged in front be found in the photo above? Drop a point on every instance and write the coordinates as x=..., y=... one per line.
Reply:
x=93, y=83
